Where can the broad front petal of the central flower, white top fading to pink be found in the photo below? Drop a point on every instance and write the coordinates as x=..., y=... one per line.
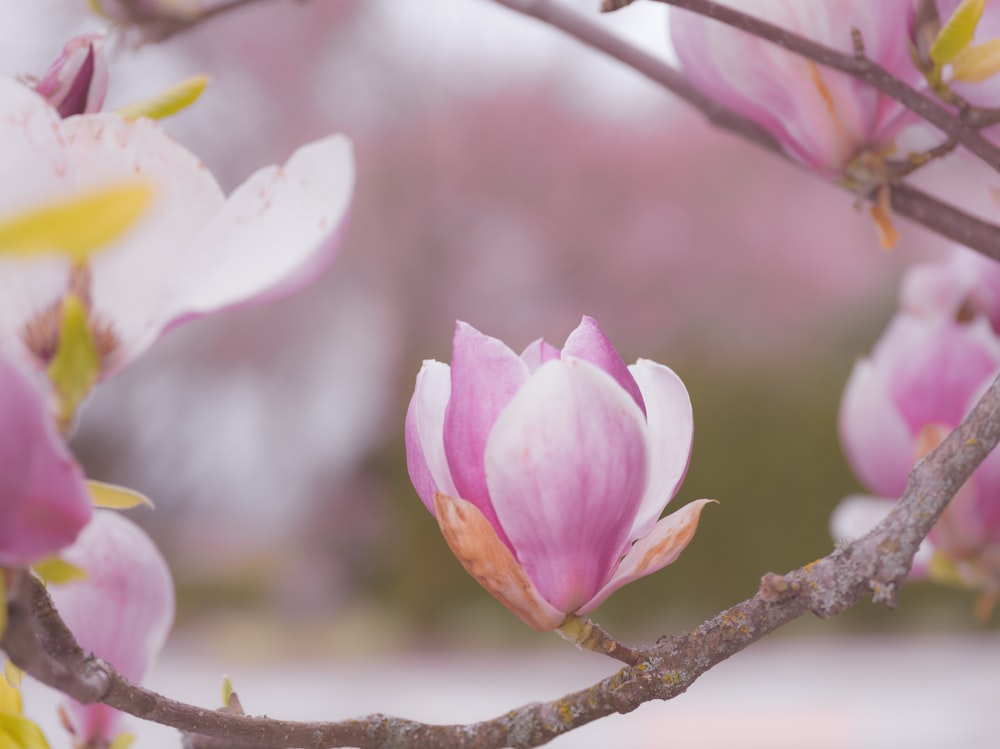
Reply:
x=566, y=465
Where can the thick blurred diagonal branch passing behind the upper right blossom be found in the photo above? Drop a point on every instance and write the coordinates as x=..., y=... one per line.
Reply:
x=907, y=201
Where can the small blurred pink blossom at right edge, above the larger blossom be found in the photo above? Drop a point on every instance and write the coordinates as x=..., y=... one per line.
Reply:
x=965, y=285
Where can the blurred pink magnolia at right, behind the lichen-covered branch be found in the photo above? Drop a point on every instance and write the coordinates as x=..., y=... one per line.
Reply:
x=922, y=378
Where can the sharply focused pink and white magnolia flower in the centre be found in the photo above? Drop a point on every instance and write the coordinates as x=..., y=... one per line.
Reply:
x=547, y=472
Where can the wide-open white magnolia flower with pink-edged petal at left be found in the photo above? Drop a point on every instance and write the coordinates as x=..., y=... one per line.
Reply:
x=194, y=252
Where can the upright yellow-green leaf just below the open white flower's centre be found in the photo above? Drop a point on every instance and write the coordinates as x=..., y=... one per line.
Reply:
x=77, y=363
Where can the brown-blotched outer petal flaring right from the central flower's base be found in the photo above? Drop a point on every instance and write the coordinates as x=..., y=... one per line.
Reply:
x=654, y=551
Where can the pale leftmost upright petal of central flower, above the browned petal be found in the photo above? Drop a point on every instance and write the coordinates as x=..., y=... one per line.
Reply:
x=425, y=457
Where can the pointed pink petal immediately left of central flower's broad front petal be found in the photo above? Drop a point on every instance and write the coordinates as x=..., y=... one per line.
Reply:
x=485, y=374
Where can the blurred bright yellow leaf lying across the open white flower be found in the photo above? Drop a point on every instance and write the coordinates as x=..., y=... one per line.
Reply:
x=75, y=226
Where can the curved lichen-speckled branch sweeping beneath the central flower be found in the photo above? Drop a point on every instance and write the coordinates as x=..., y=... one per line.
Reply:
x=876, y=564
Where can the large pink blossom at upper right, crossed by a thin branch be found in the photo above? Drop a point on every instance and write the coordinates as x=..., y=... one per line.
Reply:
x=824, y=118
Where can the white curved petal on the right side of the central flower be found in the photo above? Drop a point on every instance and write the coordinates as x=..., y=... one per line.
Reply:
x=671, y=431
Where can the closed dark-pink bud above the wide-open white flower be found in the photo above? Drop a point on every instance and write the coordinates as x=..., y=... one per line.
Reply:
x=77, y=81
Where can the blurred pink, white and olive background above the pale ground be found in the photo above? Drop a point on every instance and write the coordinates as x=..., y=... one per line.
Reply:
x=511, y=178
